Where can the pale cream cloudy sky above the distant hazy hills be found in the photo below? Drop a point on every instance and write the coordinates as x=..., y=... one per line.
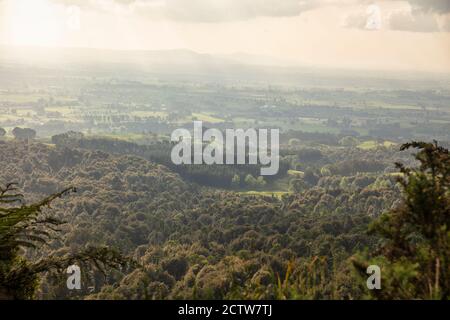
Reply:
x=387, y=35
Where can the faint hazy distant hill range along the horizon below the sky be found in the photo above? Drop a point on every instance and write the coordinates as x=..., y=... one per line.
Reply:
x=188, y=65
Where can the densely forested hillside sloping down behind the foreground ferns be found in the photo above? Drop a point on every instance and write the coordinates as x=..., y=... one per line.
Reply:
x=193, y=242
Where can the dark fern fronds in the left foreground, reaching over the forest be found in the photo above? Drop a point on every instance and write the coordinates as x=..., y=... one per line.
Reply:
x=30, y=226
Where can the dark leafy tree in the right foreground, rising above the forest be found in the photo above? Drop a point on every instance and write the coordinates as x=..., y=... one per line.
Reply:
x=415, y=250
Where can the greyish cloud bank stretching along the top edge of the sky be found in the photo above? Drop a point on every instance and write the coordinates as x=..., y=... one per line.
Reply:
x=414, y=16
